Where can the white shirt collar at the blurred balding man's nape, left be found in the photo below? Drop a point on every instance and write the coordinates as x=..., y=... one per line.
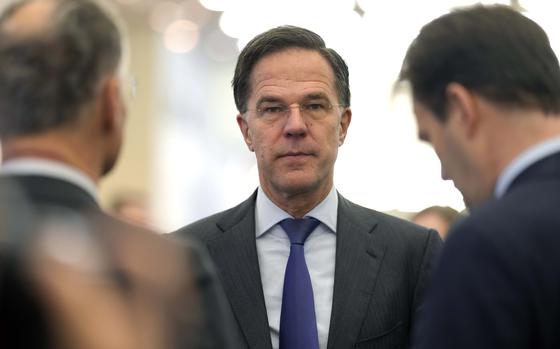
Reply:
x=30, y=166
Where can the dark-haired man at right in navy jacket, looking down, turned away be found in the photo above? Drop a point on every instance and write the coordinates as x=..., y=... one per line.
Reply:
x=486, y=93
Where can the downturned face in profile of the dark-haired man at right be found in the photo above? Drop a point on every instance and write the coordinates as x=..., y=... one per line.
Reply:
x=449, y=142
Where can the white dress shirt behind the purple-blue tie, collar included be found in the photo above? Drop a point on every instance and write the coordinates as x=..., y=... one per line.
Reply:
x=273, y=250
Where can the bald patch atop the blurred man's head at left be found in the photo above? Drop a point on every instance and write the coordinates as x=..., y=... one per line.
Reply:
x=33, y=19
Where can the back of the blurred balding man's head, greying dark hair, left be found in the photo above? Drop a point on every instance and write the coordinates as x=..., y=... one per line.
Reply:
x=53, y=54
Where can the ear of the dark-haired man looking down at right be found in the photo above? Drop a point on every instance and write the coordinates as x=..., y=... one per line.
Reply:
x=463, y=108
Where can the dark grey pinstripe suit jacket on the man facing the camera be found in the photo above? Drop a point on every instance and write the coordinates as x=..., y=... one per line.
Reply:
x=382, y=263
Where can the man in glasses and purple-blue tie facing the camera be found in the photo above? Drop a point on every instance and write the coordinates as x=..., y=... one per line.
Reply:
x=302, y=266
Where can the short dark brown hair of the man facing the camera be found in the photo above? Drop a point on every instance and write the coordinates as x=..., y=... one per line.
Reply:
x=280, y=39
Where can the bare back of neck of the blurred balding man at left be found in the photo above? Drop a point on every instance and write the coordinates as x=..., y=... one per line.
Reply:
x=51, y=148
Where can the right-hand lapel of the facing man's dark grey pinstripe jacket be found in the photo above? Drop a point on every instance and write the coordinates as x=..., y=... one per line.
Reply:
x=358, y=261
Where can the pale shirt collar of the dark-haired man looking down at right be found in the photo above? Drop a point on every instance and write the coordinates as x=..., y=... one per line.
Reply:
x=523, y=161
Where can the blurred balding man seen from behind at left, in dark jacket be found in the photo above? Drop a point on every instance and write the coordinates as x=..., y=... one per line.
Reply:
x=72, y=276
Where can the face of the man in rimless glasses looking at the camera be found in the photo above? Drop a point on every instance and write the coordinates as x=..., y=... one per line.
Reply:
x=295, y=150
